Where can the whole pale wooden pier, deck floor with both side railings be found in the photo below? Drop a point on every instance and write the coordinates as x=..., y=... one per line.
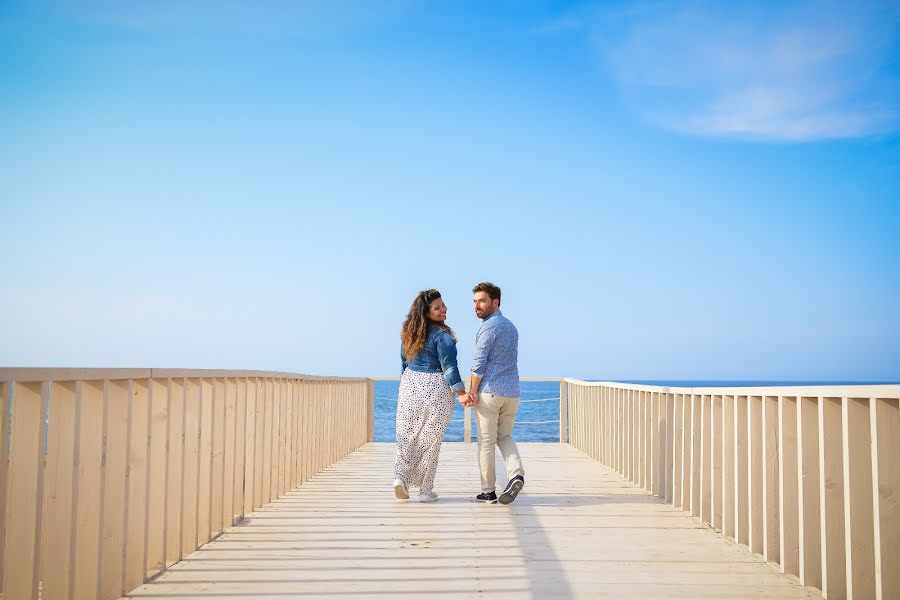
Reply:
x=147, y=483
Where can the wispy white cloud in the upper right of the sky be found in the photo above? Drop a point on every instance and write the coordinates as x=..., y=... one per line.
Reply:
x=792, y=71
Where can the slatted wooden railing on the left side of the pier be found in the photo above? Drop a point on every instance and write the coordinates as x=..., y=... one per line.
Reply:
x=109, y=476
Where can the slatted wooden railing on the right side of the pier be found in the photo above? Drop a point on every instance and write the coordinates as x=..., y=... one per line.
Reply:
x=807, y=477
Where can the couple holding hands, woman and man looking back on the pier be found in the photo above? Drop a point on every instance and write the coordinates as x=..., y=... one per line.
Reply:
x=431, y=378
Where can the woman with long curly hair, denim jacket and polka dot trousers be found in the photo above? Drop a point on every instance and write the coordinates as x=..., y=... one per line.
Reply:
x=430, y=378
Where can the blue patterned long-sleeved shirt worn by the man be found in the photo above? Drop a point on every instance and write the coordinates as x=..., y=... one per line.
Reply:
x=496, y=356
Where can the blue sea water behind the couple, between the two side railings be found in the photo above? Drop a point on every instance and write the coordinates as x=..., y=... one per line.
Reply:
x=537, y=421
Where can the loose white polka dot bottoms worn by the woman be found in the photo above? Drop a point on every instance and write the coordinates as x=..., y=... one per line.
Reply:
x=423, y=413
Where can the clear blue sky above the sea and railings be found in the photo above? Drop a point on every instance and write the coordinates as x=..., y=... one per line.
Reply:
x=676, y=190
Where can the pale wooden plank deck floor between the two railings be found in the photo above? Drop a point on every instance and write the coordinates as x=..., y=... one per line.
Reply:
x=577, y=530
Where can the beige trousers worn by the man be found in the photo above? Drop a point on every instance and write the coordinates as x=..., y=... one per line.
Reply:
x=494, y=416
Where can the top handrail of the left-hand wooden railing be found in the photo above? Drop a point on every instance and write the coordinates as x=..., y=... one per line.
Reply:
x=33, y=374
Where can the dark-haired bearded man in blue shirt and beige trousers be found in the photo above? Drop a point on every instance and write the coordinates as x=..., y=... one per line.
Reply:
x=494, y=392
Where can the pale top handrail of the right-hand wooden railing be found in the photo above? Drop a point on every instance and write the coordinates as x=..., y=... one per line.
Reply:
x=813, y=391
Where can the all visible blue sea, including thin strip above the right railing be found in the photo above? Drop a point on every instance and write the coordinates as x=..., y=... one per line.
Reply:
x=538, y=418
